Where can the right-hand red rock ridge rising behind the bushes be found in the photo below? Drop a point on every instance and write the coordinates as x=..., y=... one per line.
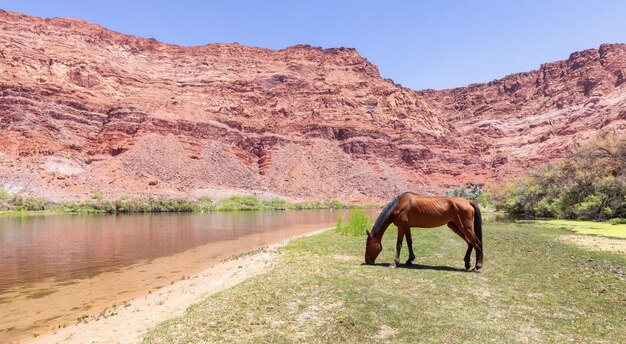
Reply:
x=529, y=118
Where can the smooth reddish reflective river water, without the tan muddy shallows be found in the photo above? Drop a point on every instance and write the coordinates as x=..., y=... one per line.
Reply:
x=65, y=247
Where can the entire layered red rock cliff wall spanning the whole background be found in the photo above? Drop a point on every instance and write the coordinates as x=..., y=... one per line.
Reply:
x=86, y=110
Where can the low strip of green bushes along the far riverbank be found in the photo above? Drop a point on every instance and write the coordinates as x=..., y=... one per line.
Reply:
x=18, y=204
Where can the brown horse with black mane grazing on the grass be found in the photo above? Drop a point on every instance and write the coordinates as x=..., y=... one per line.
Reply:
x=411, y=210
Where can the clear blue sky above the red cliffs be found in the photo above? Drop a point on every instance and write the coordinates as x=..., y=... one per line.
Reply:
x=419, y=44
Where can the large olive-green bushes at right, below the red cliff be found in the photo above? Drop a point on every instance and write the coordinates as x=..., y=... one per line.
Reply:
x=590, y=184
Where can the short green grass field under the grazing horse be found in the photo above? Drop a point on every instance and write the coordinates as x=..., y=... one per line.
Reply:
x=533, y=288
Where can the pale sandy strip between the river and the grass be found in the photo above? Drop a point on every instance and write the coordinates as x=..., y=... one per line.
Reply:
x=128, y=323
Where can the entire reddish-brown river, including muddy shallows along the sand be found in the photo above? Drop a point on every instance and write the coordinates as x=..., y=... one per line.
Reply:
x=55, y=269
